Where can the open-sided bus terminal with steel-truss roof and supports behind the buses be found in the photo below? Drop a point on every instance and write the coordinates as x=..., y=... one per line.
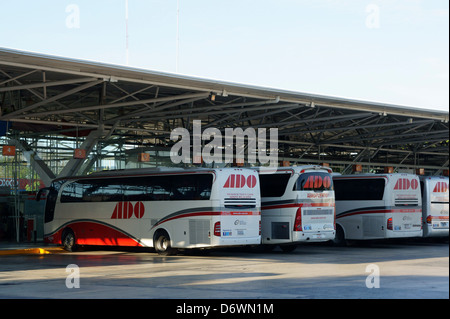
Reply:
x=63, y=117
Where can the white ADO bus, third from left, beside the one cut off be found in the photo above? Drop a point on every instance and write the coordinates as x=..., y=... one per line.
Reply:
x=377, y=206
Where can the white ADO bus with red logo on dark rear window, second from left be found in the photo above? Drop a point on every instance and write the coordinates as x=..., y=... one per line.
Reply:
x=297, y=205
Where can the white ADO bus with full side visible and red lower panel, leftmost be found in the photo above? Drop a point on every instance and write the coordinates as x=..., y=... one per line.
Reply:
x=167, y=209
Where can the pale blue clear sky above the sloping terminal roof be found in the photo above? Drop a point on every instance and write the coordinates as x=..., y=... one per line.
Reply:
x=389, y=51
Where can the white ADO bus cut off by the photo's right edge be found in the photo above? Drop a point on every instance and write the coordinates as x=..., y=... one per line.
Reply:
x=435, y=195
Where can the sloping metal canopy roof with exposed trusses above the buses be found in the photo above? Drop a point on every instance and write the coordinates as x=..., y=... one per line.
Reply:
x=40, y=93
